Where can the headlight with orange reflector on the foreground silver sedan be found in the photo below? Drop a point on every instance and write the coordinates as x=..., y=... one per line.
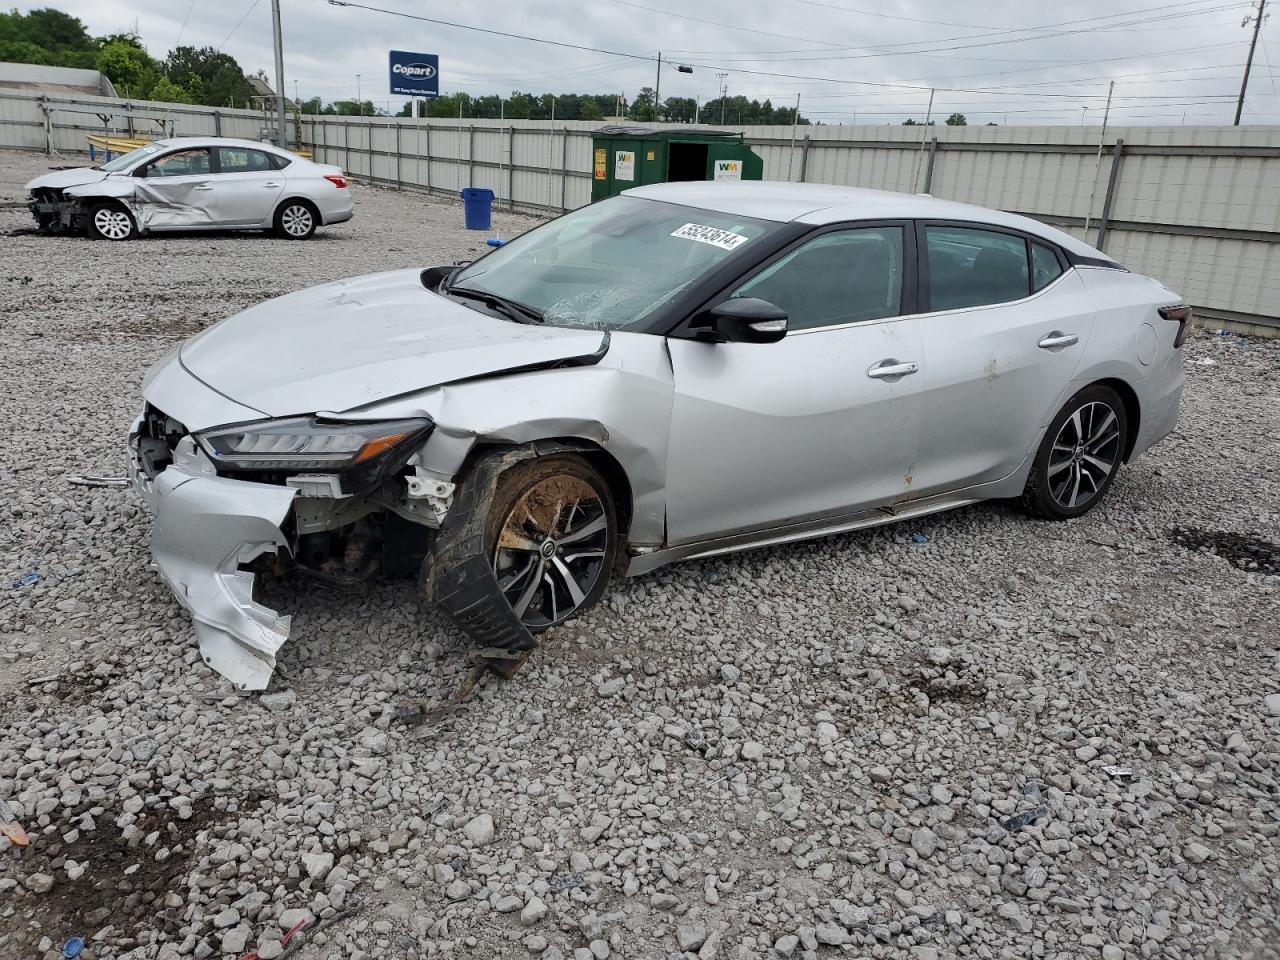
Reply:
x=307, y=444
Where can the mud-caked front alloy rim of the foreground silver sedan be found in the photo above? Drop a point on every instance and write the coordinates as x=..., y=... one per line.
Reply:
x=551, y=551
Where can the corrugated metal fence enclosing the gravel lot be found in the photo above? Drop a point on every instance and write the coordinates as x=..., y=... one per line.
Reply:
x=1196, y=207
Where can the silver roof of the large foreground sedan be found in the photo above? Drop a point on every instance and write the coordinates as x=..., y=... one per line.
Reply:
x=824, y=204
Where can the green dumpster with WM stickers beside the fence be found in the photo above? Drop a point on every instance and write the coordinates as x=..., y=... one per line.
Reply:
x=633, y=157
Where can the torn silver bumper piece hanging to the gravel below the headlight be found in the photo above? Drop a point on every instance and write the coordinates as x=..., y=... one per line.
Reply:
x=207, y=529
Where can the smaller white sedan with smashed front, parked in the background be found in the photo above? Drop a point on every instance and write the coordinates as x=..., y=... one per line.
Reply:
x=194, y=184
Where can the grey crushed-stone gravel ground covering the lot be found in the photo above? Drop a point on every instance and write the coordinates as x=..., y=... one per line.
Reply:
x=1014, y=740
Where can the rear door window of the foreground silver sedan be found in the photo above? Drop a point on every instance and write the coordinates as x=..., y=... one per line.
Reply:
x=970, y=267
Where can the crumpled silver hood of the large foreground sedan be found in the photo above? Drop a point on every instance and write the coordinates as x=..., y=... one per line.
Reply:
x=355, y=342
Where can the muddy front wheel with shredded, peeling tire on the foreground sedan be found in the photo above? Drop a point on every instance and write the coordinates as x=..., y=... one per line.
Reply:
x=528, y=545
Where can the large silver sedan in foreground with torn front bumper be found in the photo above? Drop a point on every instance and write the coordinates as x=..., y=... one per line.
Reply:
x=679, y=372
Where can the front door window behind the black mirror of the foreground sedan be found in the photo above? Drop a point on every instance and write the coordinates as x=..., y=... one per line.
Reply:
x=838, y=278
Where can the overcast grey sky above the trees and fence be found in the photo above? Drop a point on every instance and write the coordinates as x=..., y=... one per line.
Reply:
x=1031, y=62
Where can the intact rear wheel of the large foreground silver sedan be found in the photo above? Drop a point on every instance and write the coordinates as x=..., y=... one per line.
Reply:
x=1080, y=456
